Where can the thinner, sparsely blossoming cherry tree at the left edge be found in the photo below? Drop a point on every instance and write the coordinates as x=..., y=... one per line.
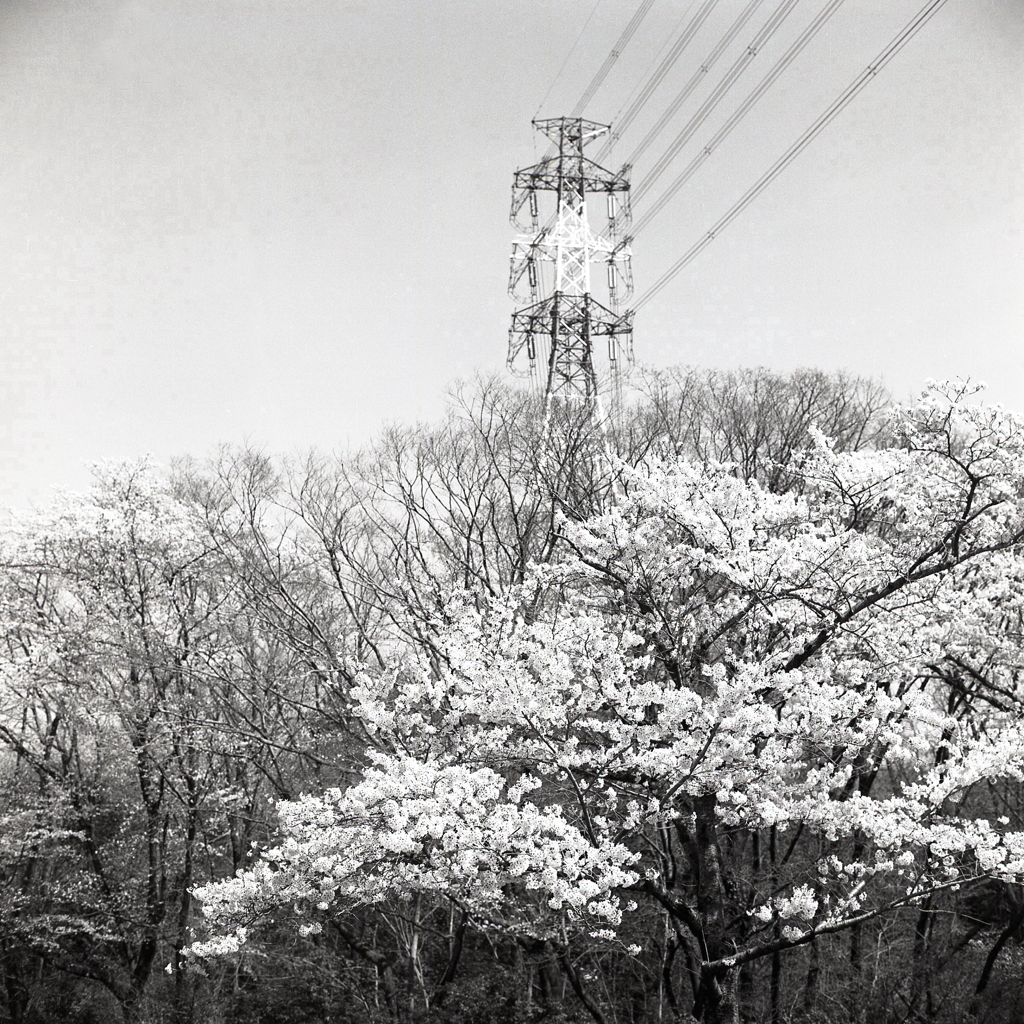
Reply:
x=129, y=749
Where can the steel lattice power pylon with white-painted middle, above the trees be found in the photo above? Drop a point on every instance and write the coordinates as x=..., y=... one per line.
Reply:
x=552, y=267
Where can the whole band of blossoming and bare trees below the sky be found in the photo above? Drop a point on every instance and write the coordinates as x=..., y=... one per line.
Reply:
x=716, y=717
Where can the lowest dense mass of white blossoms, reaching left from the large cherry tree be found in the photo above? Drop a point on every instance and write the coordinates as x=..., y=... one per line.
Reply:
x=422, y=827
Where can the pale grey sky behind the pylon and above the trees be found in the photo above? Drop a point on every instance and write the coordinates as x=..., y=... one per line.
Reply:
x=285, y=222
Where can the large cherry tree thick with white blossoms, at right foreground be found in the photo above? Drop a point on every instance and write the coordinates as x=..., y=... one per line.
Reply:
x=714, y=666
